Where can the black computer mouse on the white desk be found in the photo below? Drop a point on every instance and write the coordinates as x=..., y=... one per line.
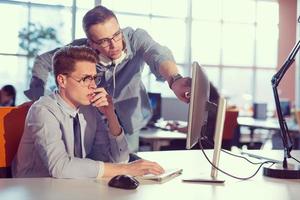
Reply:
x=124, y=182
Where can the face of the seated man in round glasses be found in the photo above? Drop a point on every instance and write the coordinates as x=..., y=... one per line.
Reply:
x=78, y=87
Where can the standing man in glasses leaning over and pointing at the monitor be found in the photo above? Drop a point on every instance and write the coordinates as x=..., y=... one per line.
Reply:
x=122, y=53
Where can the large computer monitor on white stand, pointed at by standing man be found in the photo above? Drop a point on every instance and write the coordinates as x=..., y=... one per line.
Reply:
x=197, y=119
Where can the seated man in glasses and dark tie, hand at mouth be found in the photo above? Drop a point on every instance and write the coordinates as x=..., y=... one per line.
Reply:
x=65, y=135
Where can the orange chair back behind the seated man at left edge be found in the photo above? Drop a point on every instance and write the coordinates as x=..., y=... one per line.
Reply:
x=12, y=121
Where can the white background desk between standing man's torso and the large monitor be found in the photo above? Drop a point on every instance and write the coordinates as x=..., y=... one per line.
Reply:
x=158, y=138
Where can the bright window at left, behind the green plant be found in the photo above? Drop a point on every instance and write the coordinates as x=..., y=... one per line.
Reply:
x=56, y=14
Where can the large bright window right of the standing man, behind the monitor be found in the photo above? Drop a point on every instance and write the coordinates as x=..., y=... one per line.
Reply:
x=234, y=40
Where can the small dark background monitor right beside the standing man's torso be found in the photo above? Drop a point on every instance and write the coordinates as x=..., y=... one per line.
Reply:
x=155, y=102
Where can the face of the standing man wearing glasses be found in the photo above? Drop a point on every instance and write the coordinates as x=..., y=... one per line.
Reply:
x=107, y=38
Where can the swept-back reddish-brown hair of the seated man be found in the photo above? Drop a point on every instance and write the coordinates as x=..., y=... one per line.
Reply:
x=65, y=58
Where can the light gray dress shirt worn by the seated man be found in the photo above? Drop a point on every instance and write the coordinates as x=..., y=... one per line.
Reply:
x=47, y=145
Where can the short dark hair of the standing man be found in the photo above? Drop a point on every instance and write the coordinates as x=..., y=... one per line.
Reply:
x=97, y=15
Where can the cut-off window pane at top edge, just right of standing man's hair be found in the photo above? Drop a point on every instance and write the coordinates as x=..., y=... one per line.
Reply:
x=131, y=6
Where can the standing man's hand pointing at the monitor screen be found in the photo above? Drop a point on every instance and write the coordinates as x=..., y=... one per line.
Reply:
x=182, y=89
